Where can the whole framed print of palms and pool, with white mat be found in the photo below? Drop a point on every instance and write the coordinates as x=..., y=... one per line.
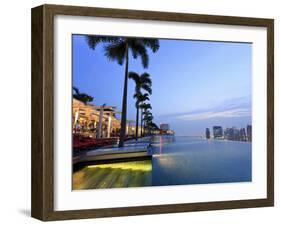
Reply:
x=141, y=112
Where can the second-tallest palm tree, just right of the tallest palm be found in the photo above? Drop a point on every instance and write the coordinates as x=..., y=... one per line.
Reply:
x=142, y=82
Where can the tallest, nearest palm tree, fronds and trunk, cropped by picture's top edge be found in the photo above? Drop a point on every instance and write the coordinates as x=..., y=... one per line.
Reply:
x=118, y=49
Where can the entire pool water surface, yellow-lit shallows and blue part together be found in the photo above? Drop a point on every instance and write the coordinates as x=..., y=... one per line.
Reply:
x=176, y=161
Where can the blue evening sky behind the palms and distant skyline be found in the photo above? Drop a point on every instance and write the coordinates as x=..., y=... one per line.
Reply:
x=196, y=84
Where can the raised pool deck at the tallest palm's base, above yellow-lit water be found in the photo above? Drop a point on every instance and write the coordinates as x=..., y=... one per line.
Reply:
x=132, y=151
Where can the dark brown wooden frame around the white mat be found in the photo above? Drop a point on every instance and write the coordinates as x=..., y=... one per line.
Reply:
x=43, y=112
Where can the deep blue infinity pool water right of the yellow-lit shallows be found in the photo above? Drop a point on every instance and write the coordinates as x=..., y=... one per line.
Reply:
x=196, y=161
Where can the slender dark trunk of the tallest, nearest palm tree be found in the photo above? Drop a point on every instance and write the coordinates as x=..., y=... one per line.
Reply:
x=124, y=102
